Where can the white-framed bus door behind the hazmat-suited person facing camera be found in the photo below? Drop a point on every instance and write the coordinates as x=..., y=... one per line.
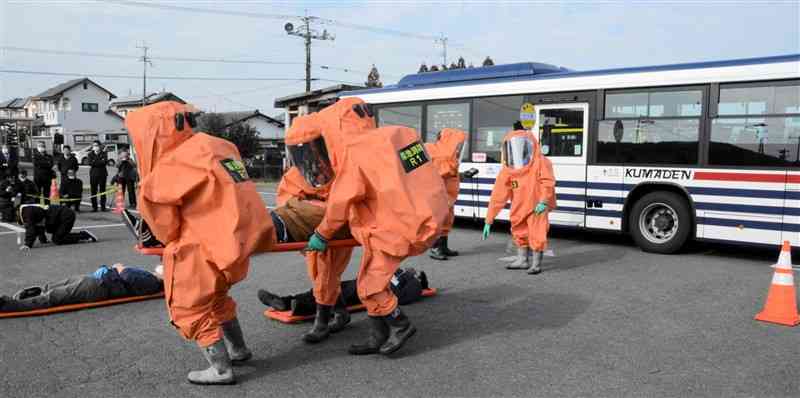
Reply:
x=561, y=129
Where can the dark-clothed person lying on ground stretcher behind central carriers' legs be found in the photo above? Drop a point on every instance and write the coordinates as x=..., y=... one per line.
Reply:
x=407, y=285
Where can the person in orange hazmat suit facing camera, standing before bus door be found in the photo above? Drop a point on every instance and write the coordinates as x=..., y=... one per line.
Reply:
x=527, y=180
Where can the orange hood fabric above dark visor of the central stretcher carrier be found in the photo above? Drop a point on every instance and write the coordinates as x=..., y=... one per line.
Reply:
x=334, y=123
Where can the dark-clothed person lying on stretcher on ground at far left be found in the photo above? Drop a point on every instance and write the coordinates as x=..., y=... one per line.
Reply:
x=105, y=283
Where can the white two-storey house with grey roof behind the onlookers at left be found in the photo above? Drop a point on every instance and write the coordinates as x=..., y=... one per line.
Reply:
x=78, y=110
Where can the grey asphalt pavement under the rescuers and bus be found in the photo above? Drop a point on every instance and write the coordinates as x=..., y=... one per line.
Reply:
x=603, y=320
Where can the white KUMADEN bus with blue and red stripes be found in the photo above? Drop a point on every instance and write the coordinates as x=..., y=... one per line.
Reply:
x=706, y=150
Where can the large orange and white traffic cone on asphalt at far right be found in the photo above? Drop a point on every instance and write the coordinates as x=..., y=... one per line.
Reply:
x=781, y=305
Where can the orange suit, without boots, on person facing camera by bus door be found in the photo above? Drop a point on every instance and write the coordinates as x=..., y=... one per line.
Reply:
x=525, y=187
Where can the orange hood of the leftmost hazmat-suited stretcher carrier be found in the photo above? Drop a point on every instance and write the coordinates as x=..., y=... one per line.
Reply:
x=154, y=132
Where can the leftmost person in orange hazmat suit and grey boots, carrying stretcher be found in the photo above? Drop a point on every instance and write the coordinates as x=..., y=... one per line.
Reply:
x=198, y=200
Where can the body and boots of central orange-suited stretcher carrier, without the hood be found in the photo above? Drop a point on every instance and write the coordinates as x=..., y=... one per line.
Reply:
x=391, y=195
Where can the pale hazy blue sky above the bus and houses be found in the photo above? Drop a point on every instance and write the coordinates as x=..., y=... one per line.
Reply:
x=396, y=36
